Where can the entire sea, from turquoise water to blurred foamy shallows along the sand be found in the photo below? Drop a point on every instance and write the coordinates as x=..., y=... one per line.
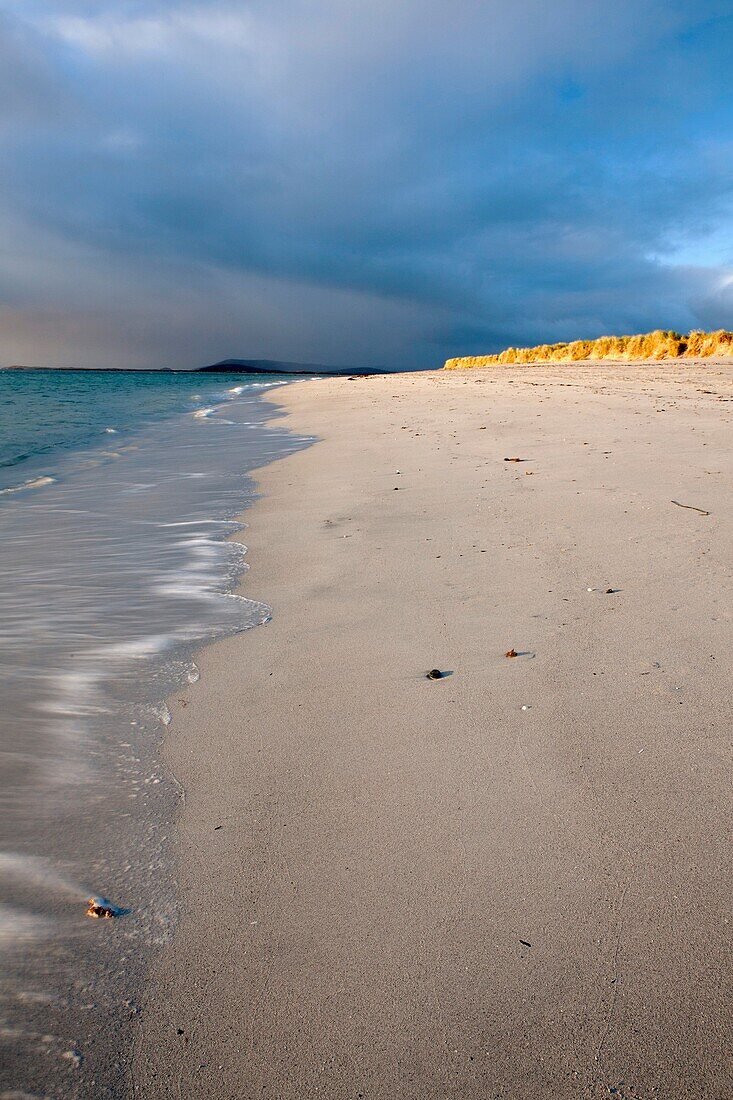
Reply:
x=119, y=496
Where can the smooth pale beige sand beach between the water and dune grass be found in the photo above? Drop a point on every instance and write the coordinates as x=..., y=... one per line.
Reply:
x=397, y=888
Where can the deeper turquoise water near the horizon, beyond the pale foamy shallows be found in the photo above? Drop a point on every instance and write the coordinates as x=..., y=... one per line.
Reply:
x=45, y=414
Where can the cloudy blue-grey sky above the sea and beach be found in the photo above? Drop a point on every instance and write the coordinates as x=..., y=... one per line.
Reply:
x=359, y=182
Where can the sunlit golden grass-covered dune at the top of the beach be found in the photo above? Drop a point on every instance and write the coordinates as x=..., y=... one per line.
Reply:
x=659, y=345
